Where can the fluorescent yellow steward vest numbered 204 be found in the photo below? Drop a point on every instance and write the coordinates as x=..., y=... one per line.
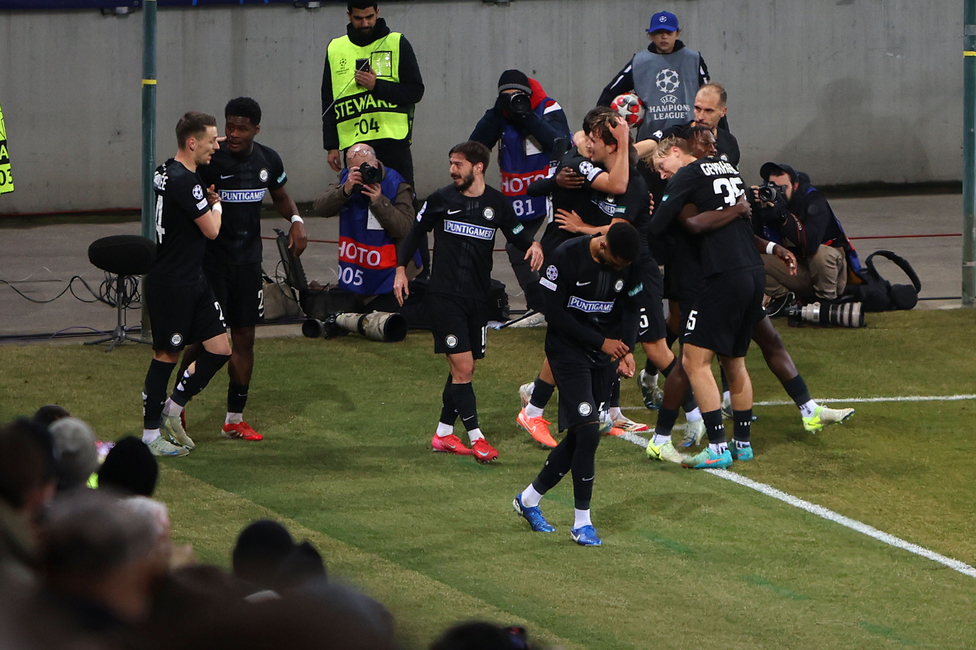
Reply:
x=360, y=117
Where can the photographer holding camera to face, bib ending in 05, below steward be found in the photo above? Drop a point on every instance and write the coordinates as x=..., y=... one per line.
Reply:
x=375, y=208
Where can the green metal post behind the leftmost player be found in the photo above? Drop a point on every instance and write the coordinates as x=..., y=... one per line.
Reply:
x=149, y=133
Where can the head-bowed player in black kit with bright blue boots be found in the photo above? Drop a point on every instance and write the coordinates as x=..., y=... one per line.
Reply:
x=592, y=300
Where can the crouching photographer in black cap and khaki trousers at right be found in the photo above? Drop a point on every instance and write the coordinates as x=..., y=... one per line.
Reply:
x=787, y=210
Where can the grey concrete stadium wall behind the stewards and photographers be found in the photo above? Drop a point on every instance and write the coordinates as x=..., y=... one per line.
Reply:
x=851, y=91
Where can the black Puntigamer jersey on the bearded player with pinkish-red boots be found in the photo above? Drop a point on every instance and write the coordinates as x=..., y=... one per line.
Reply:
x=464, y=235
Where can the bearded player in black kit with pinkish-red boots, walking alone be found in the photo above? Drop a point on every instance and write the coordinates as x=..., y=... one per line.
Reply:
x=464, y=217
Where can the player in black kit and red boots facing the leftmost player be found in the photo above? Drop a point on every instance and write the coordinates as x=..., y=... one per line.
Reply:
x=243, y=172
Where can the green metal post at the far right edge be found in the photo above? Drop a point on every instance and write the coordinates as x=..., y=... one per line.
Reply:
x=969, y=157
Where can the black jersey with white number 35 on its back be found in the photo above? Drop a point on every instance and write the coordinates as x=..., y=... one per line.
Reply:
x=710, y=184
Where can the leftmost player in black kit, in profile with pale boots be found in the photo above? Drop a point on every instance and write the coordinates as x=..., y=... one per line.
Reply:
x=181, y=305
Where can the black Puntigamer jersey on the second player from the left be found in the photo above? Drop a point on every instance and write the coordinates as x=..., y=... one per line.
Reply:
x=242, y=182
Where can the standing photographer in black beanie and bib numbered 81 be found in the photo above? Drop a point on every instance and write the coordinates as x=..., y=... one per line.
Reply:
x=527, y=124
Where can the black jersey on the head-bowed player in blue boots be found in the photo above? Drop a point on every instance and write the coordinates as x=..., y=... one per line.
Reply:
x=587, y=302
